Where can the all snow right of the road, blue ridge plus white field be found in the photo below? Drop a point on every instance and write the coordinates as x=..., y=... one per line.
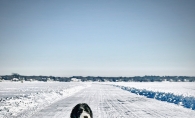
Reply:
x=181, y=93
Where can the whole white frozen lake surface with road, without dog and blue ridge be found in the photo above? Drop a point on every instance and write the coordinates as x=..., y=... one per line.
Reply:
x=107, y=100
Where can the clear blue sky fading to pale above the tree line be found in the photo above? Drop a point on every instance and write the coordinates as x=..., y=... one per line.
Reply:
x=97, y=37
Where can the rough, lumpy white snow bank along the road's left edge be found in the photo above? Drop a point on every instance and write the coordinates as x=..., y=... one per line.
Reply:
x=21, y=105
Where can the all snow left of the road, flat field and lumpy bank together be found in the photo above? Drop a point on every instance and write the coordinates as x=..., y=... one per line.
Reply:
x=17, y=97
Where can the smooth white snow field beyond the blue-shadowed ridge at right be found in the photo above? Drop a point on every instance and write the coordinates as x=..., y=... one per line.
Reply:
x=178, y=88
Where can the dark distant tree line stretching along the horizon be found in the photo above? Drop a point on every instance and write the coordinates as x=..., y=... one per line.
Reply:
x=18, y=77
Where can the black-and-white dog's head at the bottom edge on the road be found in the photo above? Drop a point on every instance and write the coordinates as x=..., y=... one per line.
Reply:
x=81, y=110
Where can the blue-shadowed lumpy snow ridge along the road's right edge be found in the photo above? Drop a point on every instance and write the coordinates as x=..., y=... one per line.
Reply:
x=185, y=101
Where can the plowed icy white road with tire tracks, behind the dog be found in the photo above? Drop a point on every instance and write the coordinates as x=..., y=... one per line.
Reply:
x=112, y=102
